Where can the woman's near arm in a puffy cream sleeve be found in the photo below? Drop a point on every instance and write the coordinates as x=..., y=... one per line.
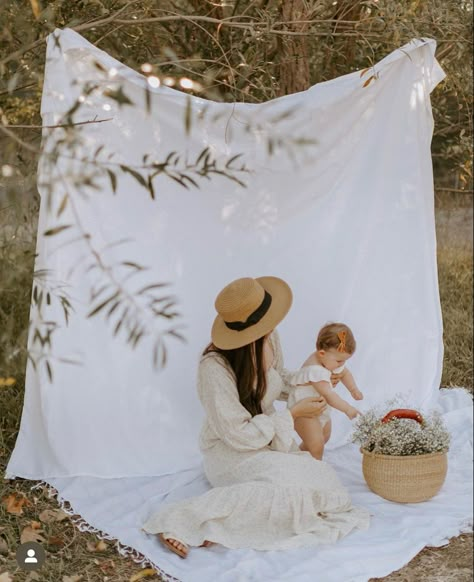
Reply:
x=231, y=421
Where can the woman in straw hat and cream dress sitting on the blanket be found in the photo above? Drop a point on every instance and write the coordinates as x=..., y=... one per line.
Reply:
x=266, y=494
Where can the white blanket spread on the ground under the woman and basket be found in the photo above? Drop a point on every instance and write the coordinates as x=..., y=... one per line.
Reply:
x=397, y=532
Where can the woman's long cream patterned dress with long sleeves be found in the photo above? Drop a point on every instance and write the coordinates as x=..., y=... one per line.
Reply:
x=267, y=494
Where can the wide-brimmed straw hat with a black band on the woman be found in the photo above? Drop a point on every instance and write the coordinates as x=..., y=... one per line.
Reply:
x=248, y=309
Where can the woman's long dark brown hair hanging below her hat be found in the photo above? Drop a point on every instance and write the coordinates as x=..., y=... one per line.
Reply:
x=248, y=366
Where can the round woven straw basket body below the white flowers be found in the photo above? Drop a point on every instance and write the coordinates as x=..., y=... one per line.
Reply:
x=407, y=479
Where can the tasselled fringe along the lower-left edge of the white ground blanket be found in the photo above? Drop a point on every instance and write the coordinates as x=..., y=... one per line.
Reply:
x=83, y=526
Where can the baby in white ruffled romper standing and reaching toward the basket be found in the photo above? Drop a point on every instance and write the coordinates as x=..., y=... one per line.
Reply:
x=334, y=346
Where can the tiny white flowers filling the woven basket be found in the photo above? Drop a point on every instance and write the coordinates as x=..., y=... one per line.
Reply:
x=400, y=436
